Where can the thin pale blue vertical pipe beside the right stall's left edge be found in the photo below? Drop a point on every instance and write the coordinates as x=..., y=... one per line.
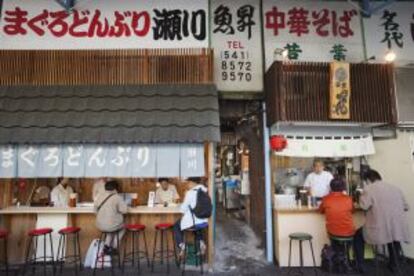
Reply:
x=268, y=189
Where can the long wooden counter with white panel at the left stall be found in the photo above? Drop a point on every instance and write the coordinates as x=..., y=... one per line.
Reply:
x=19, y=220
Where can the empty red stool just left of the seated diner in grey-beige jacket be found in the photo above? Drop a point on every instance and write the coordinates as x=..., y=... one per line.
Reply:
x=75, y=258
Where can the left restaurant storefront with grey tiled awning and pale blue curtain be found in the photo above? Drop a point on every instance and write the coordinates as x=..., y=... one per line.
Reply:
x=136, y=133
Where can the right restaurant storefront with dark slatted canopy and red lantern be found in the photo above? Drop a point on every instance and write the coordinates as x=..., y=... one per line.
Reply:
x=301, y=116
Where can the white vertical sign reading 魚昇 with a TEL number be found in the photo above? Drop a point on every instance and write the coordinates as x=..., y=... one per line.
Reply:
x=236, y=39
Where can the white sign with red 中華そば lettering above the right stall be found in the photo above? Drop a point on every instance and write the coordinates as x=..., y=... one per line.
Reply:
x=312, y=30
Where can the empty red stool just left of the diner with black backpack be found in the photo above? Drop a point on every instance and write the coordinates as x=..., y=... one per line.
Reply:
x=163, y=229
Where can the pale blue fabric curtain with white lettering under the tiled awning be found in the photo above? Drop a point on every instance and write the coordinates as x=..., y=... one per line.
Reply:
x=102, y=160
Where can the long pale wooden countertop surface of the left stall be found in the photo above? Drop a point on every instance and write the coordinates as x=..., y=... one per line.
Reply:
x=86, y=210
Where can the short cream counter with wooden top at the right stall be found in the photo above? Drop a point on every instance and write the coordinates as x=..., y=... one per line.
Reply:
x=309, y=220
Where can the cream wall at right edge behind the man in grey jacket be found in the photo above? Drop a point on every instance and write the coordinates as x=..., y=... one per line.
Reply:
x=394, y=161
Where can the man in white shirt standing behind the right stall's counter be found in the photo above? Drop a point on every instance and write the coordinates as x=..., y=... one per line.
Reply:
x=318, y=181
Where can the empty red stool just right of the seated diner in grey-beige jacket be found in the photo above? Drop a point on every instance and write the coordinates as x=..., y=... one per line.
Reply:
x=135, y=231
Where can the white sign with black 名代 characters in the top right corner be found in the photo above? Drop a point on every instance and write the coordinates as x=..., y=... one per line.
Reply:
x=391, y=28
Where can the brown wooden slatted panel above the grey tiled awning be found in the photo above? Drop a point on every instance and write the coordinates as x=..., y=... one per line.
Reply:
x=106, y=67
